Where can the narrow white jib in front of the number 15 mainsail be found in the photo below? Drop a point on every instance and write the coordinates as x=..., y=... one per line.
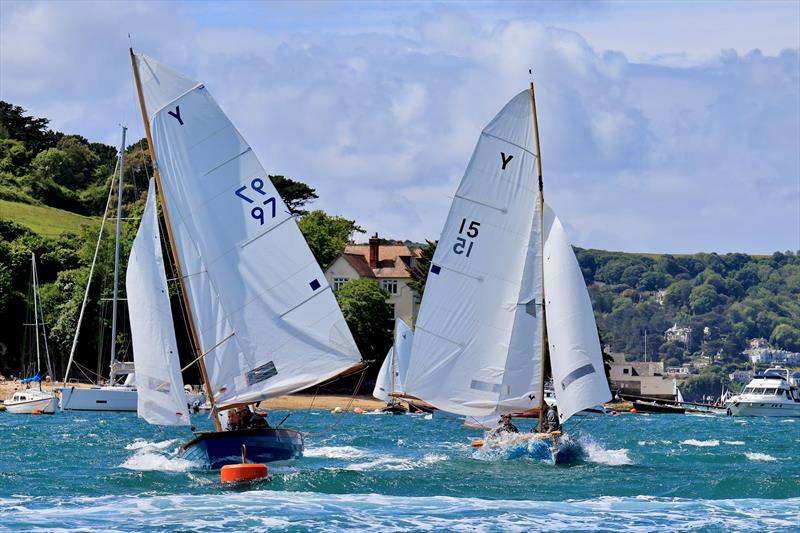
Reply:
x=575, y=355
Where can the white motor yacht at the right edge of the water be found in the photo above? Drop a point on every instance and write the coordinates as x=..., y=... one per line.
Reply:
x=768, y=394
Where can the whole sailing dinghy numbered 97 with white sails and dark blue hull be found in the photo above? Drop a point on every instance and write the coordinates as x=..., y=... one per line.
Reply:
x=264, y=321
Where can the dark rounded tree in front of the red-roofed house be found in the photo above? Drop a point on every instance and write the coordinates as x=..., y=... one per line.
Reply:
x=369, y=318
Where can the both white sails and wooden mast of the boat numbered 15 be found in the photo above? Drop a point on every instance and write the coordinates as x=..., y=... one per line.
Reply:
x=505, y=297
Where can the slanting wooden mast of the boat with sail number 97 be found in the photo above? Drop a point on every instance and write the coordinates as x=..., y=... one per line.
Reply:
x=173, y=248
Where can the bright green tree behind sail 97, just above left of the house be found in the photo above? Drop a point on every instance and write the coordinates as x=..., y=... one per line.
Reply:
x=326, y=235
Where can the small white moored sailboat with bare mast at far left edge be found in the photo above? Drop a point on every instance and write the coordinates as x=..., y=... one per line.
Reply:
x=30, y=400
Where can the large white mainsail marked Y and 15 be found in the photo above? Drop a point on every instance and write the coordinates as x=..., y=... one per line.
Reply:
x=477, y=344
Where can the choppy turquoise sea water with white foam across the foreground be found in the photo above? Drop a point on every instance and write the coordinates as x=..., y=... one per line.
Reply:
x=114, y=472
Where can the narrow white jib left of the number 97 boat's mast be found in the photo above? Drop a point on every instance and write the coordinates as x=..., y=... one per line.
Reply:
x=161, y=399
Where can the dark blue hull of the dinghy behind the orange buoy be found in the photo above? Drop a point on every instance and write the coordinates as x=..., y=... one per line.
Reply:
x=217, y=449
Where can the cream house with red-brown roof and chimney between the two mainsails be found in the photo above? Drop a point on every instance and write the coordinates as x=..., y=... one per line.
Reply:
x=387, y=263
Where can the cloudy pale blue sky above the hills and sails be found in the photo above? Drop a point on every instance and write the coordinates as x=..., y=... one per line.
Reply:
x=666, y=127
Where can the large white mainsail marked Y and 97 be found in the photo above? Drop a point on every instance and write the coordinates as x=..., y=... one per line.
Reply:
x=266, y=317
